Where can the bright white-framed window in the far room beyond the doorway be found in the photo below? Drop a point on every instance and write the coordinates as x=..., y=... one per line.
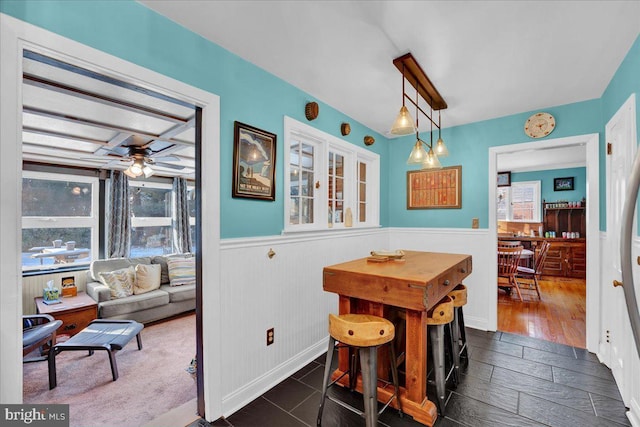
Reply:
x=520, y=202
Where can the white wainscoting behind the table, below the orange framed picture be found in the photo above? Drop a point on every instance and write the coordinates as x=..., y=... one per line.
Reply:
x=475, y=242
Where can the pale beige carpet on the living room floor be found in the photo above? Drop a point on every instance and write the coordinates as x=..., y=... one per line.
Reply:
x=151, y=381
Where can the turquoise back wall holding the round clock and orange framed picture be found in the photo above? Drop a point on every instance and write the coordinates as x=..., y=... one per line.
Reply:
x=469, y=146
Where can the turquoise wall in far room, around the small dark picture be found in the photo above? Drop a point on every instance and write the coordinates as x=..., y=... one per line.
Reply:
x=546, y=185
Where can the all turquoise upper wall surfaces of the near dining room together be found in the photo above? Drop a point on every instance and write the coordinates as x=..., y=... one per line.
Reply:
x=249, y=94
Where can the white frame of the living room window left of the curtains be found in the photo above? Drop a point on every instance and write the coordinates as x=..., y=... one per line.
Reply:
x=92, y=222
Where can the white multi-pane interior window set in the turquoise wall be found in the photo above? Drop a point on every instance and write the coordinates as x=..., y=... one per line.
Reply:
x=331, y=183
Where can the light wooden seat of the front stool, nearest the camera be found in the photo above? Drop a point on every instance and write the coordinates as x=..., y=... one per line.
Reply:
x=361, y=330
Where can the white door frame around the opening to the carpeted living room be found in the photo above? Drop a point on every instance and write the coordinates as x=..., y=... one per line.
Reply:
x=15, y=36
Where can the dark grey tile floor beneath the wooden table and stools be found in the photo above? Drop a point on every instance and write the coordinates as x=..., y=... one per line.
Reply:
x=511, y=381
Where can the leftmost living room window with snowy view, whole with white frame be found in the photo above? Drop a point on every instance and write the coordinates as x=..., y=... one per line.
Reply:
x=59, y=220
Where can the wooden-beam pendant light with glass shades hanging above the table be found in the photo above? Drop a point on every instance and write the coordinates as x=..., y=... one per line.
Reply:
x=423, y=153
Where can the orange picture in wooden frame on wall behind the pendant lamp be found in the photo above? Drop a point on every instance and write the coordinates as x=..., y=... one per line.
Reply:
x=435, y=189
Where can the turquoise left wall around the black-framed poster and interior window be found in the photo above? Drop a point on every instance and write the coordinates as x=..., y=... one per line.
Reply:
x=247, y=93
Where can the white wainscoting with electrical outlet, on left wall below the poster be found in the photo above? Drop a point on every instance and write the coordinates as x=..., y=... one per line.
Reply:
x=284, y=293
